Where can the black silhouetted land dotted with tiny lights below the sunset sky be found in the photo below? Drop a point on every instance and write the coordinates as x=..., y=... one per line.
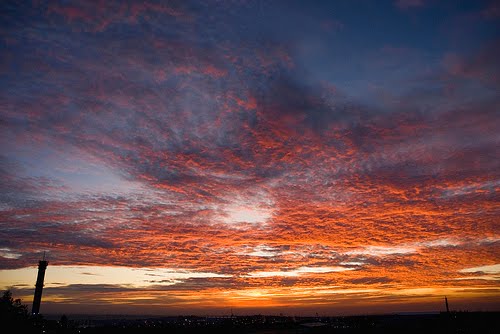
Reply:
x=461, y=322
